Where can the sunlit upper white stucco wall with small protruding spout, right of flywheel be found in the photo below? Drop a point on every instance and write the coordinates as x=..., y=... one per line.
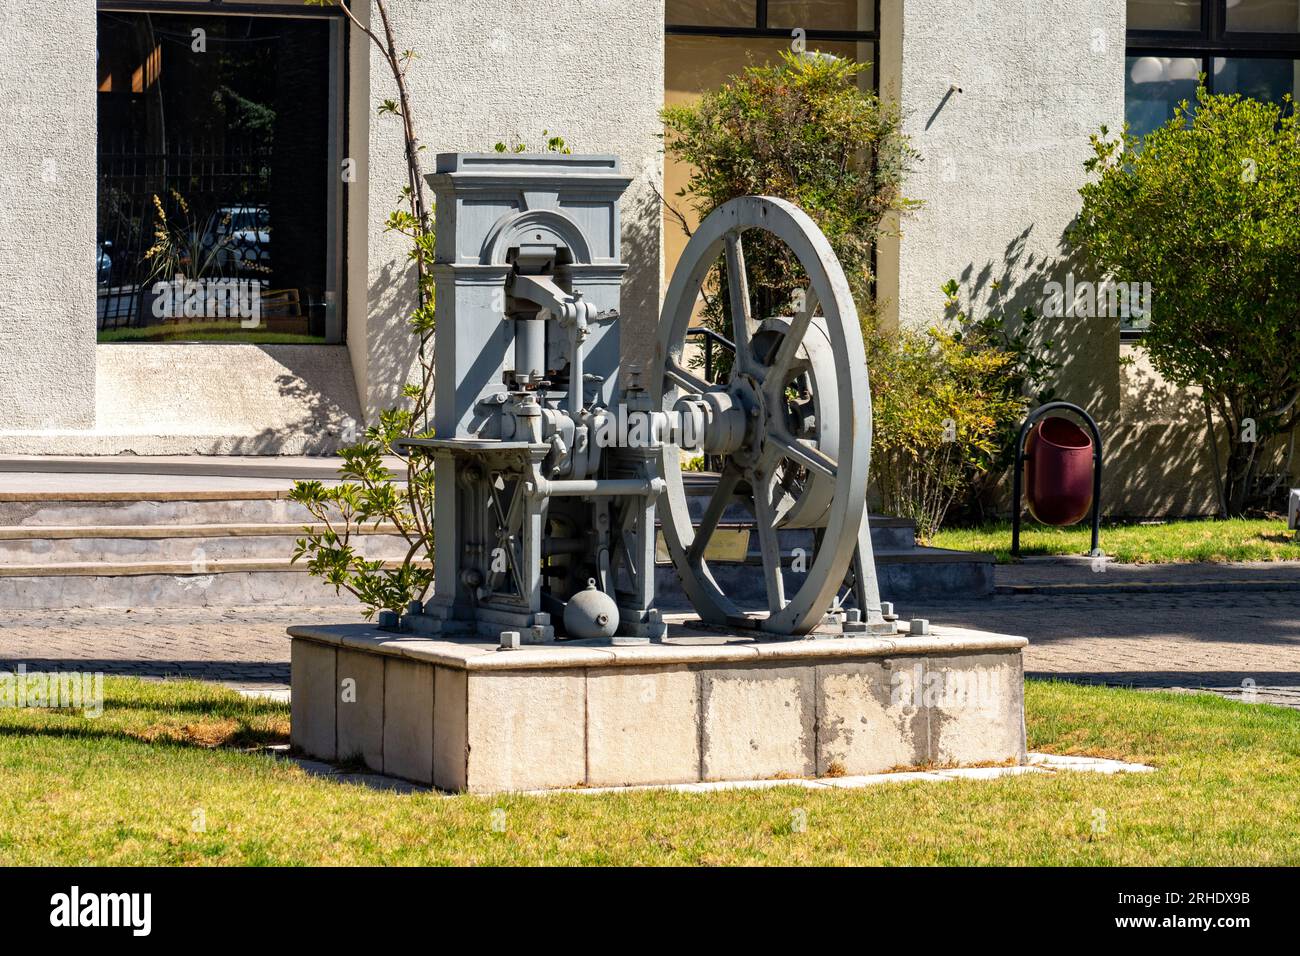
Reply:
x=1003, y=159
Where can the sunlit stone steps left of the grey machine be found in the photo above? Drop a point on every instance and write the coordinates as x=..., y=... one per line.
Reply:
x=188, y=534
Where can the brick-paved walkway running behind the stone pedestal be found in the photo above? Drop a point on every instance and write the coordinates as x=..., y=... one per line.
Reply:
x=1193, y=639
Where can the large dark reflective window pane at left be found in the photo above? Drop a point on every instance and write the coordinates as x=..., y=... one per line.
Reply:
x=220, y=178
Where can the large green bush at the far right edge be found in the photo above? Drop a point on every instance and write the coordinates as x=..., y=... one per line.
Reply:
x=1207, y=209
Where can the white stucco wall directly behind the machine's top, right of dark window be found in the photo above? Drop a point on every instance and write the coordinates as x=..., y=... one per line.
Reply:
x=590, y=71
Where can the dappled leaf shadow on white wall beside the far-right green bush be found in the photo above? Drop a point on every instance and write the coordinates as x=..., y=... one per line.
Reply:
x=1158, y=460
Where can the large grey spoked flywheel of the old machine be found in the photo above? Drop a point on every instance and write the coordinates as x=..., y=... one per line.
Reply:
x=722, y=231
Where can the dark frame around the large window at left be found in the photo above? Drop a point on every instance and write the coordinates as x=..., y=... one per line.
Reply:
x=340, y=118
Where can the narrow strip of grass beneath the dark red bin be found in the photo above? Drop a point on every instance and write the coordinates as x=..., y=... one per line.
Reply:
x=1133, y=543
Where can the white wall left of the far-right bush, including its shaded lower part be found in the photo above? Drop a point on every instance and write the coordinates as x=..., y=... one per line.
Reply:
x=1000, y=175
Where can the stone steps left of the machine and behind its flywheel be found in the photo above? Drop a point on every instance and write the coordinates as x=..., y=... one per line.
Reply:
x=138, y=539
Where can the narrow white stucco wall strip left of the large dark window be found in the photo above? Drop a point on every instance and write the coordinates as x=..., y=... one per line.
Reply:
x=47, y=215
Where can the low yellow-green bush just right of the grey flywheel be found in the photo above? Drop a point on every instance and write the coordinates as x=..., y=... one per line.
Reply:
x=942, y=405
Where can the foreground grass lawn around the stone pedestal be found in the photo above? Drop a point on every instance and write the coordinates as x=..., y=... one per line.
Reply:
x=125, y=789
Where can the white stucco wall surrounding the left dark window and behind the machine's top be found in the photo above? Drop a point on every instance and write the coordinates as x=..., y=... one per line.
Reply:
x=591, y=71
